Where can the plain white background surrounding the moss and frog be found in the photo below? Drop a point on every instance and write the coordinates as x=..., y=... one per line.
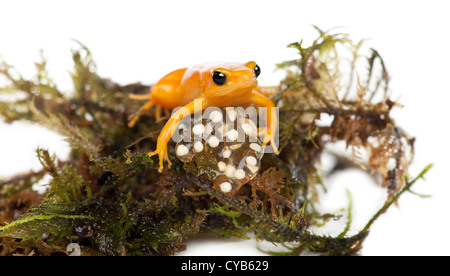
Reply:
x=135, y=41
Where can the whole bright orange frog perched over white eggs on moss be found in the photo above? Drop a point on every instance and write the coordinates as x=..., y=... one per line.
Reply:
x=202, y=86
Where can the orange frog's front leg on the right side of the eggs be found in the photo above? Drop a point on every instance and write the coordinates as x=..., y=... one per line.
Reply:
x=271, y=119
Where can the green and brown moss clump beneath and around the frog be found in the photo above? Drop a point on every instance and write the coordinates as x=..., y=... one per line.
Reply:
x=109, y=198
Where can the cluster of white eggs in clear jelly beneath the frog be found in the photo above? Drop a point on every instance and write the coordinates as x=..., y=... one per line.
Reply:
x=233, y=141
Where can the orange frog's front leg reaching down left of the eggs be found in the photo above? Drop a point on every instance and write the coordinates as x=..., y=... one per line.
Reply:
x=170, y=127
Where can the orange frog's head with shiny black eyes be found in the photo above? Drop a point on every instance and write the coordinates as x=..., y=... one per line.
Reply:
x=230, y=83
